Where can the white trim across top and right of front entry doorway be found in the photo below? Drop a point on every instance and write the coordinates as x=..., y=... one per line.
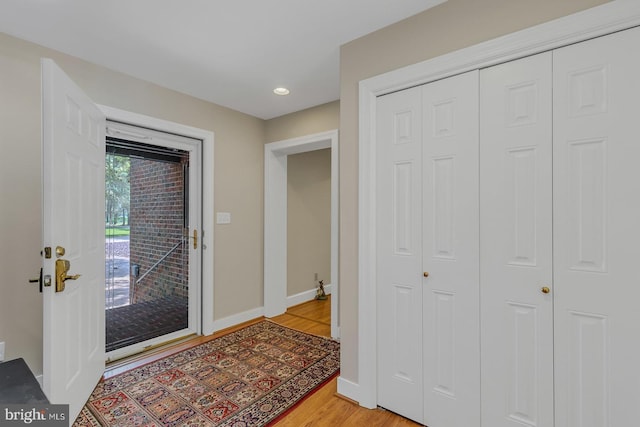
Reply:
x=204, y=323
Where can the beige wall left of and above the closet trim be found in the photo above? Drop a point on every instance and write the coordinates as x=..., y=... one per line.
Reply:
x=451, y=26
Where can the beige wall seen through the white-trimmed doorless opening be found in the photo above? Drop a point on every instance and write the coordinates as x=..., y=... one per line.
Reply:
x=308, y=220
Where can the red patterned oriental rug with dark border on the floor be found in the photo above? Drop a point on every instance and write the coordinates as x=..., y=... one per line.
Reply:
x=250, y=377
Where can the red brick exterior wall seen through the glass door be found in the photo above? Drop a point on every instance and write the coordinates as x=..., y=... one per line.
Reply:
x=157, y=224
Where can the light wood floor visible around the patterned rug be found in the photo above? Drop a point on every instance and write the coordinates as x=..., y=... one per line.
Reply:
x=324, y=407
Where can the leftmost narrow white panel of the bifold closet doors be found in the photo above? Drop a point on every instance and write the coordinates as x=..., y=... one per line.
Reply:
x=399, y=257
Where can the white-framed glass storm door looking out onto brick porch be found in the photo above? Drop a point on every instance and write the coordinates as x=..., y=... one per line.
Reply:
x=151, y=218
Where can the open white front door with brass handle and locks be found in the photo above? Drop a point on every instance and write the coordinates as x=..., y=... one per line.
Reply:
x=73, y=237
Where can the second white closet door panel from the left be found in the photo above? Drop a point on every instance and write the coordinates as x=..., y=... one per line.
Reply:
x=450, y=246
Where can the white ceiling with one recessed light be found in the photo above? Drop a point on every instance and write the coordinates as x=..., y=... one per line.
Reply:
x=230, y=52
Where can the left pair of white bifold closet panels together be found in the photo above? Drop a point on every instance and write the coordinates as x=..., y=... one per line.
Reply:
x=427, y=259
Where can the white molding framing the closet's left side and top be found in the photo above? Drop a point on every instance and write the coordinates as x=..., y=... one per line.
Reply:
x=607, y=18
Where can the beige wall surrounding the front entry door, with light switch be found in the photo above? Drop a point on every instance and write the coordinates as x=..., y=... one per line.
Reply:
x=239, y=162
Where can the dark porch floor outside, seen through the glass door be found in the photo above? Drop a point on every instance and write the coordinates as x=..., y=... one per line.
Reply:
x=131, y=324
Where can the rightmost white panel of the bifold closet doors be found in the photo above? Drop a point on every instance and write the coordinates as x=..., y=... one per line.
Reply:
x=597, y=232
